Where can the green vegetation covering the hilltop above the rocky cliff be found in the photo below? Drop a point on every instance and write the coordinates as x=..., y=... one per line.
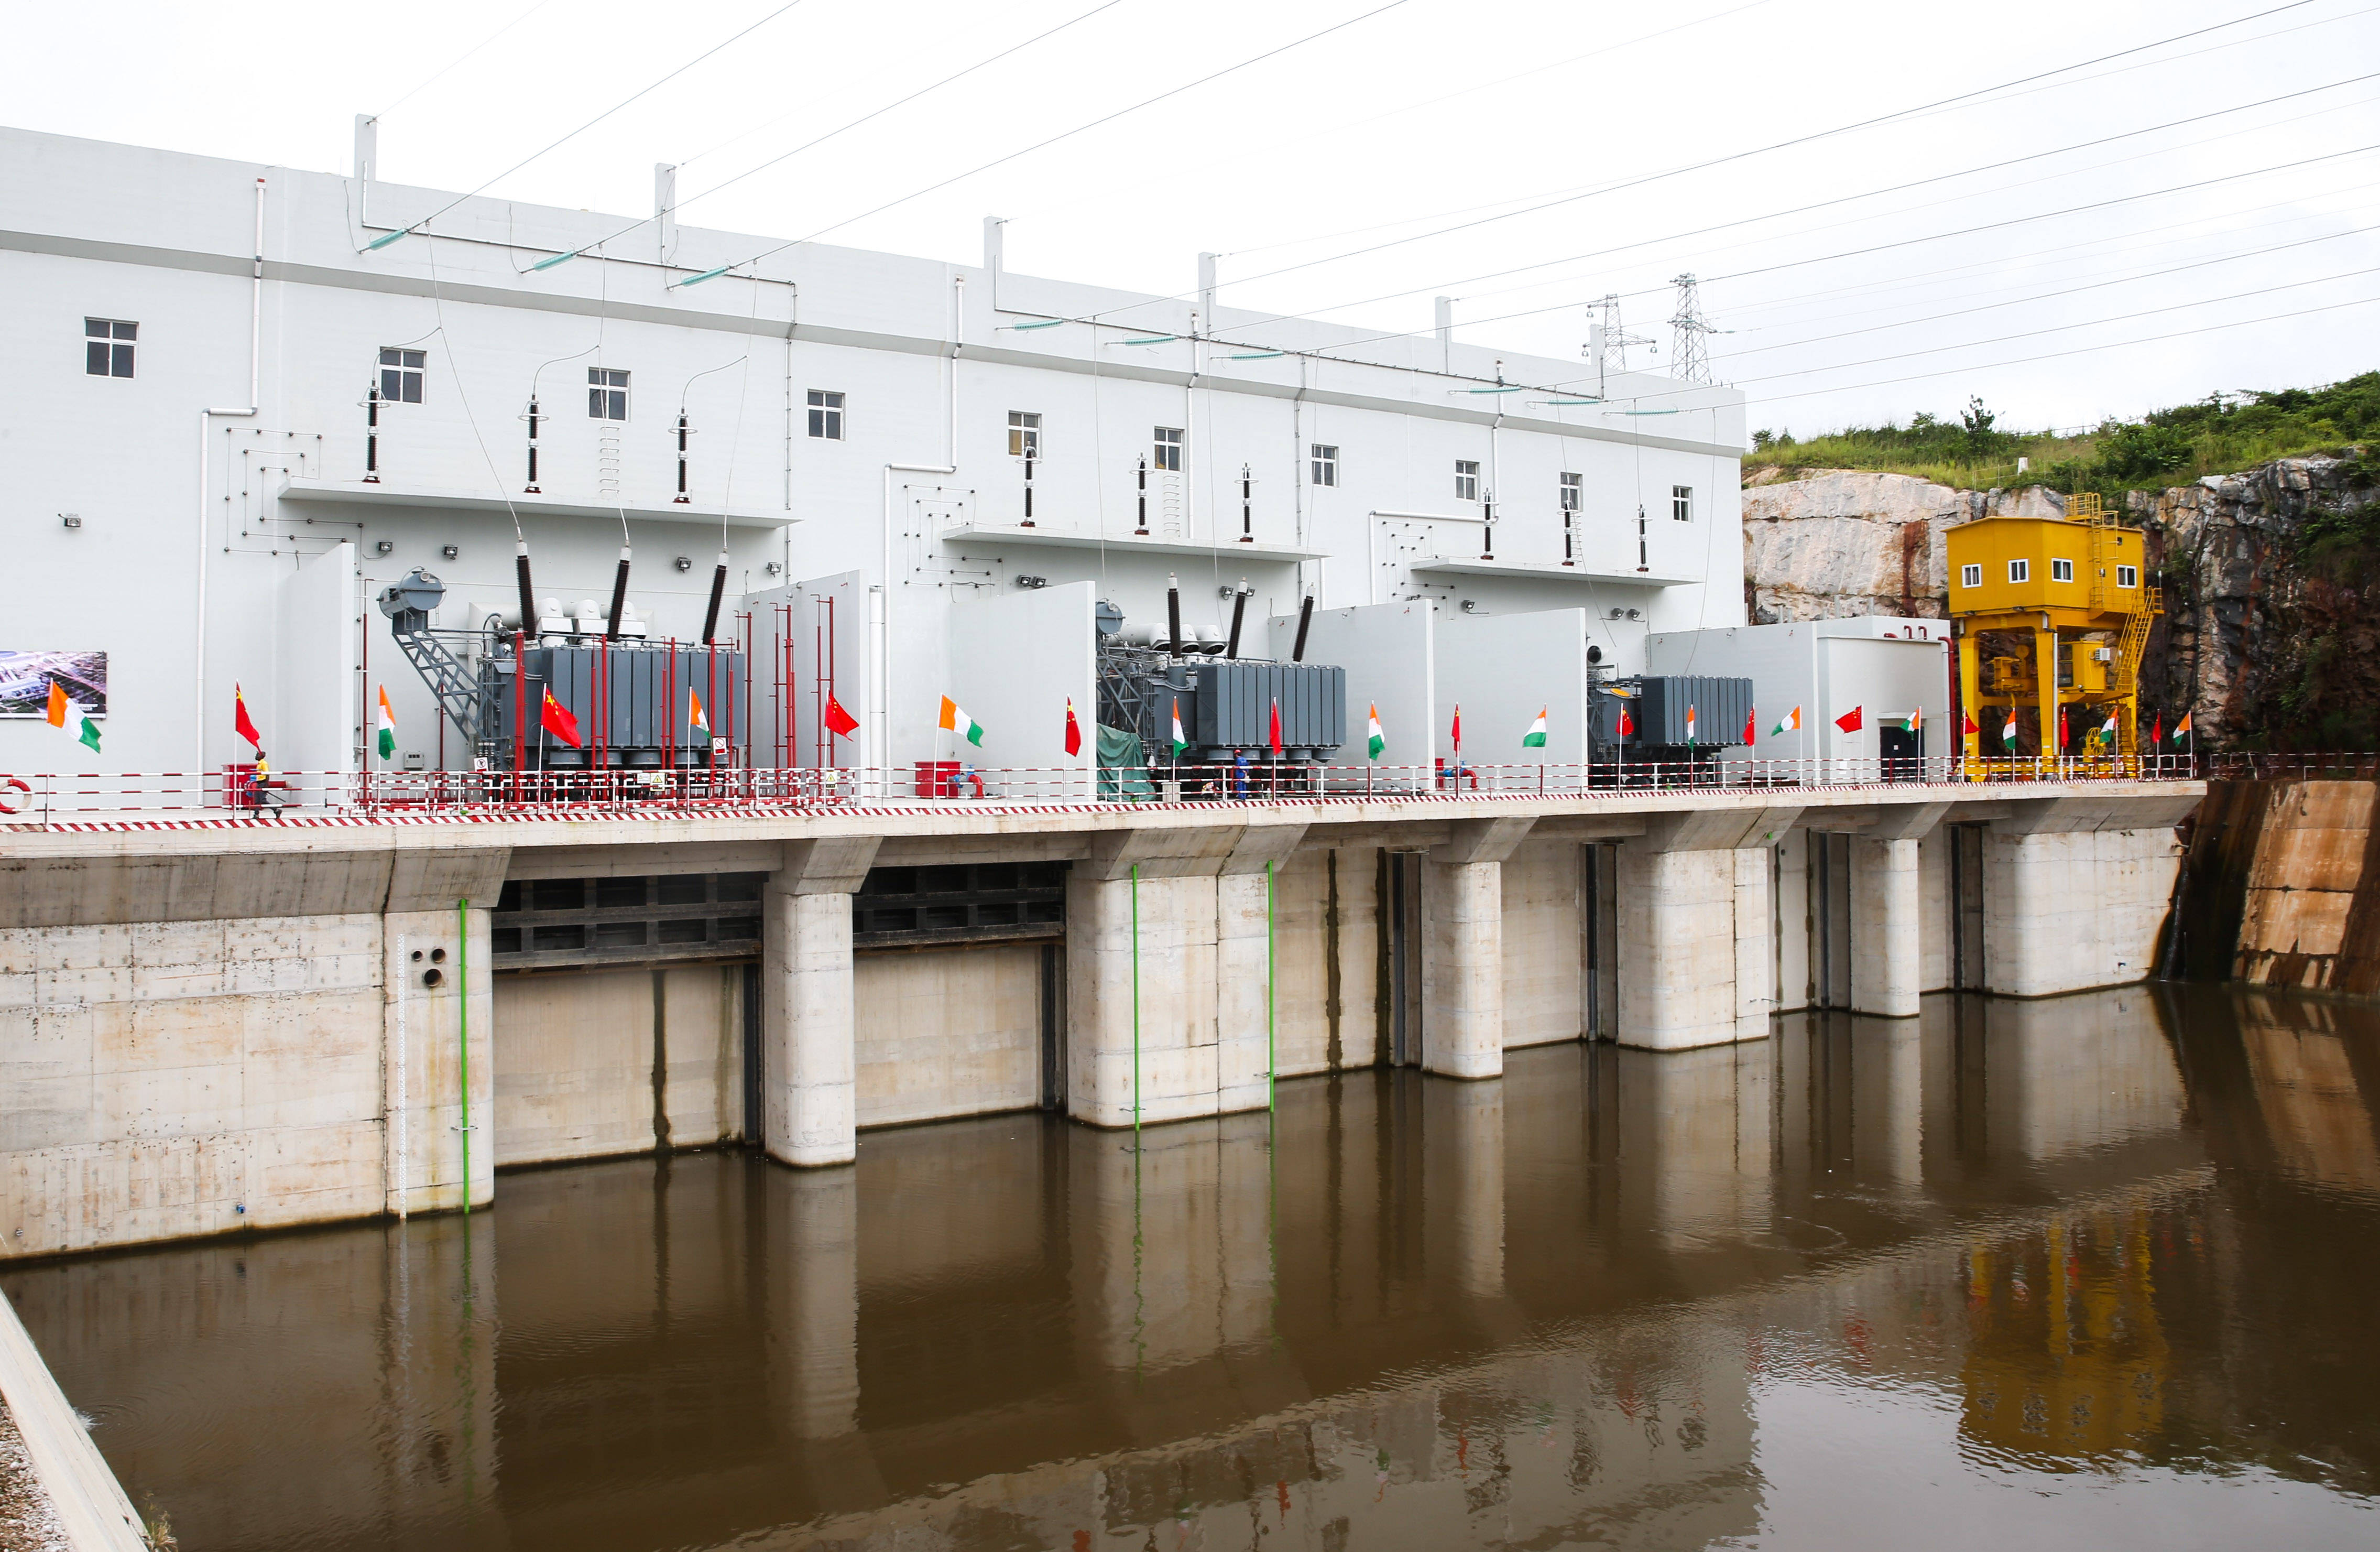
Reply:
x=2222, y=434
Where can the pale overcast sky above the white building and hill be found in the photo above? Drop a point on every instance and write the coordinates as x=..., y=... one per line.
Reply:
x=1891, y=208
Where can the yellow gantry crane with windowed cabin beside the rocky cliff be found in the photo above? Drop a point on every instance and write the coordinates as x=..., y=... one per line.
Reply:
x=2069, y=601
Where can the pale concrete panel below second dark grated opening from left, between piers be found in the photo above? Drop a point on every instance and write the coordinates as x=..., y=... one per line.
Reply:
x=948, y=1032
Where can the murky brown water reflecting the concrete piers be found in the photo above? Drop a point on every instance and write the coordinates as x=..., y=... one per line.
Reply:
x=2053, y=1275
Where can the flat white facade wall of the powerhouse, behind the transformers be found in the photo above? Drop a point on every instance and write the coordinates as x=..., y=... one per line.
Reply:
x=165, y=242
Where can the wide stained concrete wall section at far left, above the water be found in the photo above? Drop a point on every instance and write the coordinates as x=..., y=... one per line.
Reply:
x=184, y=1079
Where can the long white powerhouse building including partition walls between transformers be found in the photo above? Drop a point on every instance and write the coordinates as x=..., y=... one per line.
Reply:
x=232, y=423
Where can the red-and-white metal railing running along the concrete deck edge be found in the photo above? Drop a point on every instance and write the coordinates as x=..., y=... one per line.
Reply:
x=403, y=796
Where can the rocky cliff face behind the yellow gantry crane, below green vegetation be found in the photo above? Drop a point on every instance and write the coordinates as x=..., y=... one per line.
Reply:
x=2269, y=639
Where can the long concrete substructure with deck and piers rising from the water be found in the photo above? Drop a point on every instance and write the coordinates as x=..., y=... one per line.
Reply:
x=220, y=1027
